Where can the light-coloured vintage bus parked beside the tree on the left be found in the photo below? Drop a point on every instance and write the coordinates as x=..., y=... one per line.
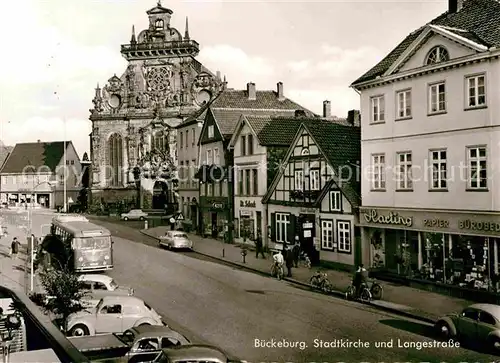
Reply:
x=91, y=245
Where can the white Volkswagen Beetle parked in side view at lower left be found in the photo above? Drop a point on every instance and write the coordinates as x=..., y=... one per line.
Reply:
x=113, y=314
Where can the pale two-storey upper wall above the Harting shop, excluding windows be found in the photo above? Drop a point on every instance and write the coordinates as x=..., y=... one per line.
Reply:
x=454, y=130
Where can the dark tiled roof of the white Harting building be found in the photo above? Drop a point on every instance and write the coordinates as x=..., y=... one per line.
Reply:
x=477, y=21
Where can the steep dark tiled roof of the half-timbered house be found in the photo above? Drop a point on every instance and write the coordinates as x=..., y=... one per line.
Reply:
x=341, y=146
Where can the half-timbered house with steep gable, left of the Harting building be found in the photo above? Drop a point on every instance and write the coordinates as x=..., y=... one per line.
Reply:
x=315, y=196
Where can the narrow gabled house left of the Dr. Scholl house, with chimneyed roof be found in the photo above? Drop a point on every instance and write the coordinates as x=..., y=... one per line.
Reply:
x=216, y=165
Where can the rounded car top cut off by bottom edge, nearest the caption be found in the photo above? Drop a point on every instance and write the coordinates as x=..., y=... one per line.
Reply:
x=195, y=353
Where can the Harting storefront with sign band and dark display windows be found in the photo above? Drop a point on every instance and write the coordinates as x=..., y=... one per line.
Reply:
x=452, y=247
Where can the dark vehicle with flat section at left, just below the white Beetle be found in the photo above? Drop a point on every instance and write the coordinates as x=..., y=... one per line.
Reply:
x=139, y=344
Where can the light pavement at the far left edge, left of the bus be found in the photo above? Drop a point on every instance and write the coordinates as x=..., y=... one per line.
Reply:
x=14, y=273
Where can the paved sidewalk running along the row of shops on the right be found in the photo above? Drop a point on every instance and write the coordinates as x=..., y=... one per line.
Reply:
x=425, y=305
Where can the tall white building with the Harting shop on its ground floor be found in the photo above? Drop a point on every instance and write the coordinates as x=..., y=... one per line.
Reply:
x=430, y=148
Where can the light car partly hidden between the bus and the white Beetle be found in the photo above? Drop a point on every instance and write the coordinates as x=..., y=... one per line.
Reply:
x=99, y=286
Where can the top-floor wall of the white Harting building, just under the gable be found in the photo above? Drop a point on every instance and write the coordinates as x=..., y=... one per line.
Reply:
x=420, y=123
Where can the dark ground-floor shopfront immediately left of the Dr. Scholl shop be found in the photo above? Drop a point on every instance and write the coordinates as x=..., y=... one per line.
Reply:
x=214, y=216
